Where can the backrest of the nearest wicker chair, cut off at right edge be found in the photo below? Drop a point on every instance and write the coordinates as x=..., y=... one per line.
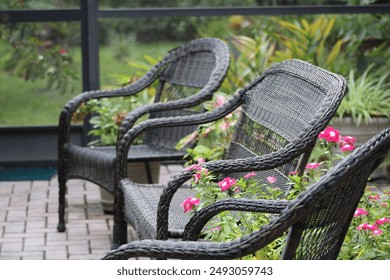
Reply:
x=320, y=216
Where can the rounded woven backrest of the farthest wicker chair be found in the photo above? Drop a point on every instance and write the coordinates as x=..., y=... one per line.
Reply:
x=197, y=68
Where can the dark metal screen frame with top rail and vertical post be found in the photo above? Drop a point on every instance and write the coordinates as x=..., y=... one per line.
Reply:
x=89, y=14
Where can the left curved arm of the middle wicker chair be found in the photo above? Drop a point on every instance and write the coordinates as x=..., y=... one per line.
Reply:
x=128, y=138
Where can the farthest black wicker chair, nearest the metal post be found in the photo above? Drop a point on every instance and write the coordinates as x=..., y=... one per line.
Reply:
x=186, y=77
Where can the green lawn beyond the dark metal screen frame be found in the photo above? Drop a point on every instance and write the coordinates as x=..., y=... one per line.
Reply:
x=31, y=103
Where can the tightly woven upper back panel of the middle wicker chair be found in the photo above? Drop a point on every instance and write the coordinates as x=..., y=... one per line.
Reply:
x=284, y=103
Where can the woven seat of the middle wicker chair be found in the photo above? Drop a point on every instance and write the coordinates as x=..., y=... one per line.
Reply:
x=141, y=203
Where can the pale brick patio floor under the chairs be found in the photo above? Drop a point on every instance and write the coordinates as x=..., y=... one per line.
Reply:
x=28, y=220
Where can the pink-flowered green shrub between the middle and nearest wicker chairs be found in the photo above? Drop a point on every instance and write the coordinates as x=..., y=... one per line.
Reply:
x=367, y=238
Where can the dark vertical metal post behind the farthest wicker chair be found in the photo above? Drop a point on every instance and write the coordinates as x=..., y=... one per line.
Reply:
x=89, y=51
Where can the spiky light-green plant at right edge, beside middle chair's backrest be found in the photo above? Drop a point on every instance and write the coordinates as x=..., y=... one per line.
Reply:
x=368, y=96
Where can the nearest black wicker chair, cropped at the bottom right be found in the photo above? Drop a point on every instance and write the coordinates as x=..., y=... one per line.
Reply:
x=316, y=221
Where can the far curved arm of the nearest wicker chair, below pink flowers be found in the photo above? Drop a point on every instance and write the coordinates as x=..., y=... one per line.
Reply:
x=204, y=215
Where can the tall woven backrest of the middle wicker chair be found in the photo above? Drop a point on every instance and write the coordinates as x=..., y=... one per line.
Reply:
x=288, y=100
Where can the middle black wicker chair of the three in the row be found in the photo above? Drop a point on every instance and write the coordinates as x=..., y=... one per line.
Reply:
x=282, y=112
